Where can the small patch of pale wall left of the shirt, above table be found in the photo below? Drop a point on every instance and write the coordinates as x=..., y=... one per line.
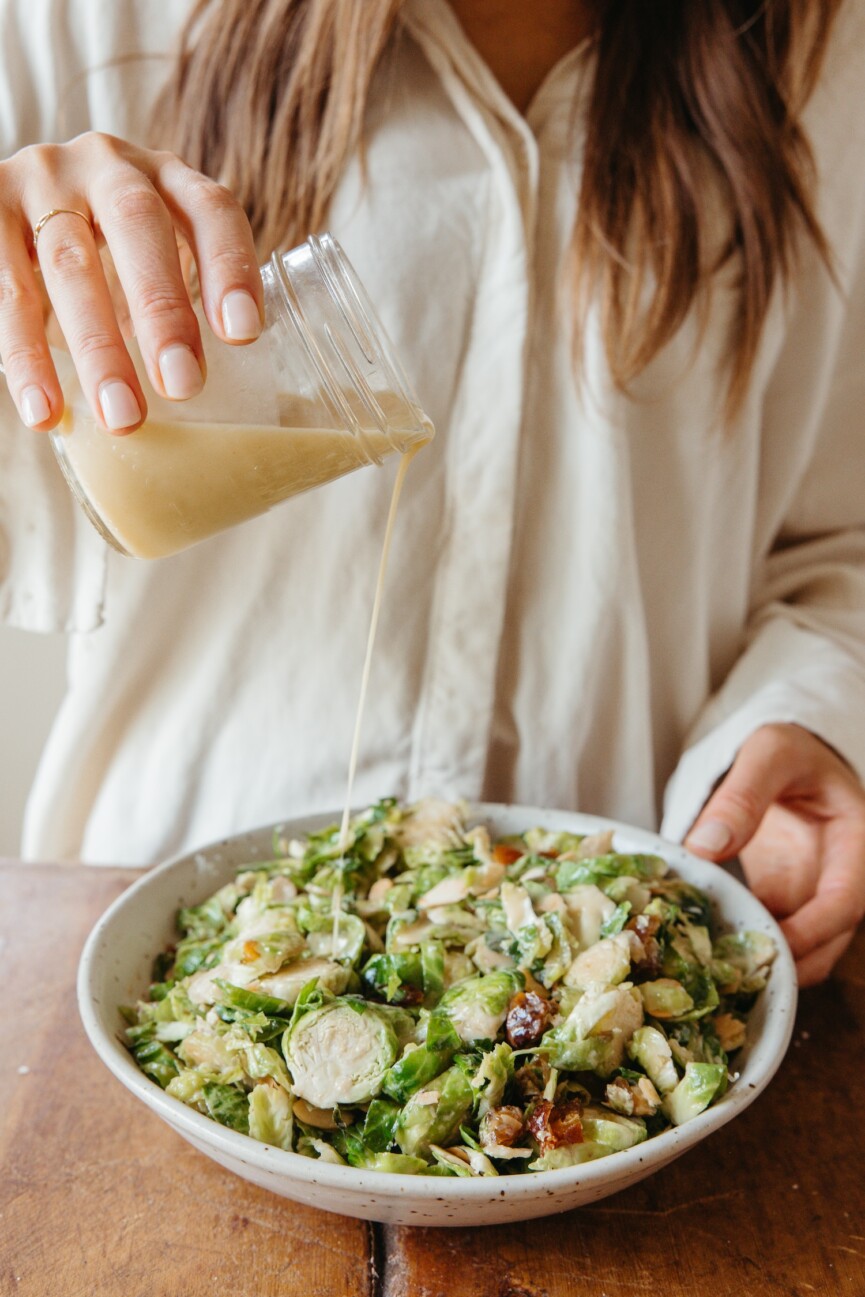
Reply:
x=32, y=687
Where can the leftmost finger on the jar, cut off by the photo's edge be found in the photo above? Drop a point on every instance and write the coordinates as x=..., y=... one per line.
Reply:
x=24, y=348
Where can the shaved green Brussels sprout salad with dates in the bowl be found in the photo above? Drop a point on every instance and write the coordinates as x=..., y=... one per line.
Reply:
x=473, y=1007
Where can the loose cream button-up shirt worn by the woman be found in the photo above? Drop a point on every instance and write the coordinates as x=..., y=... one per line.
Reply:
x=593, y=601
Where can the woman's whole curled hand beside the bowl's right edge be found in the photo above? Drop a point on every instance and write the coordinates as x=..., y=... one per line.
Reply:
x=794, y=814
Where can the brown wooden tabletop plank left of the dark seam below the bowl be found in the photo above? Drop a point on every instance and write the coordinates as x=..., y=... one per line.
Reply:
x=98, y=1198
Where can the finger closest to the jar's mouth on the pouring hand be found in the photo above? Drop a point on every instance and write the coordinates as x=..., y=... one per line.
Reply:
x=217, y=230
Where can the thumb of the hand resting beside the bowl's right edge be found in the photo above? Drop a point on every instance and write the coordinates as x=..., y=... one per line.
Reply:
x=733, y=814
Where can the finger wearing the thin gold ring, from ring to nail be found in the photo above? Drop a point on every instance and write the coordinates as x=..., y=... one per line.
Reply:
x=73, y=276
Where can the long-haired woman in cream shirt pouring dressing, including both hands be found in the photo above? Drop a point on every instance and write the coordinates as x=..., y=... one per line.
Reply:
x=621, y=252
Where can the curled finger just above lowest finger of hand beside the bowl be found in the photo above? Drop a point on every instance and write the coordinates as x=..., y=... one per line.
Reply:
x=840, y=902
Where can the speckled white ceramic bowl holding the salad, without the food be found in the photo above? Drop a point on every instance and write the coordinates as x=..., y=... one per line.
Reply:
x=116, y=970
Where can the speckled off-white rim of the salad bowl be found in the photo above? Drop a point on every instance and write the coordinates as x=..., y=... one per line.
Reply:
x=764, y=1055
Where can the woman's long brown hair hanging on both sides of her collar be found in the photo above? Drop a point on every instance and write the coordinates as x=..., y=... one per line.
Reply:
x=269, y=97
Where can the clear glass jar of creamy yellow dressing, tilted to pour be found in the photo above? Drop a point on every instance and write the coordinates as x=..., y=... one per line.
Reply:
x=317, y=396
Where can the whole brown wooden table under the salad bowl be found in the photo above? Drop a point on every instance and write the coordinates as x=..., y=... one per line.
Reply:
x=99, y=1199
